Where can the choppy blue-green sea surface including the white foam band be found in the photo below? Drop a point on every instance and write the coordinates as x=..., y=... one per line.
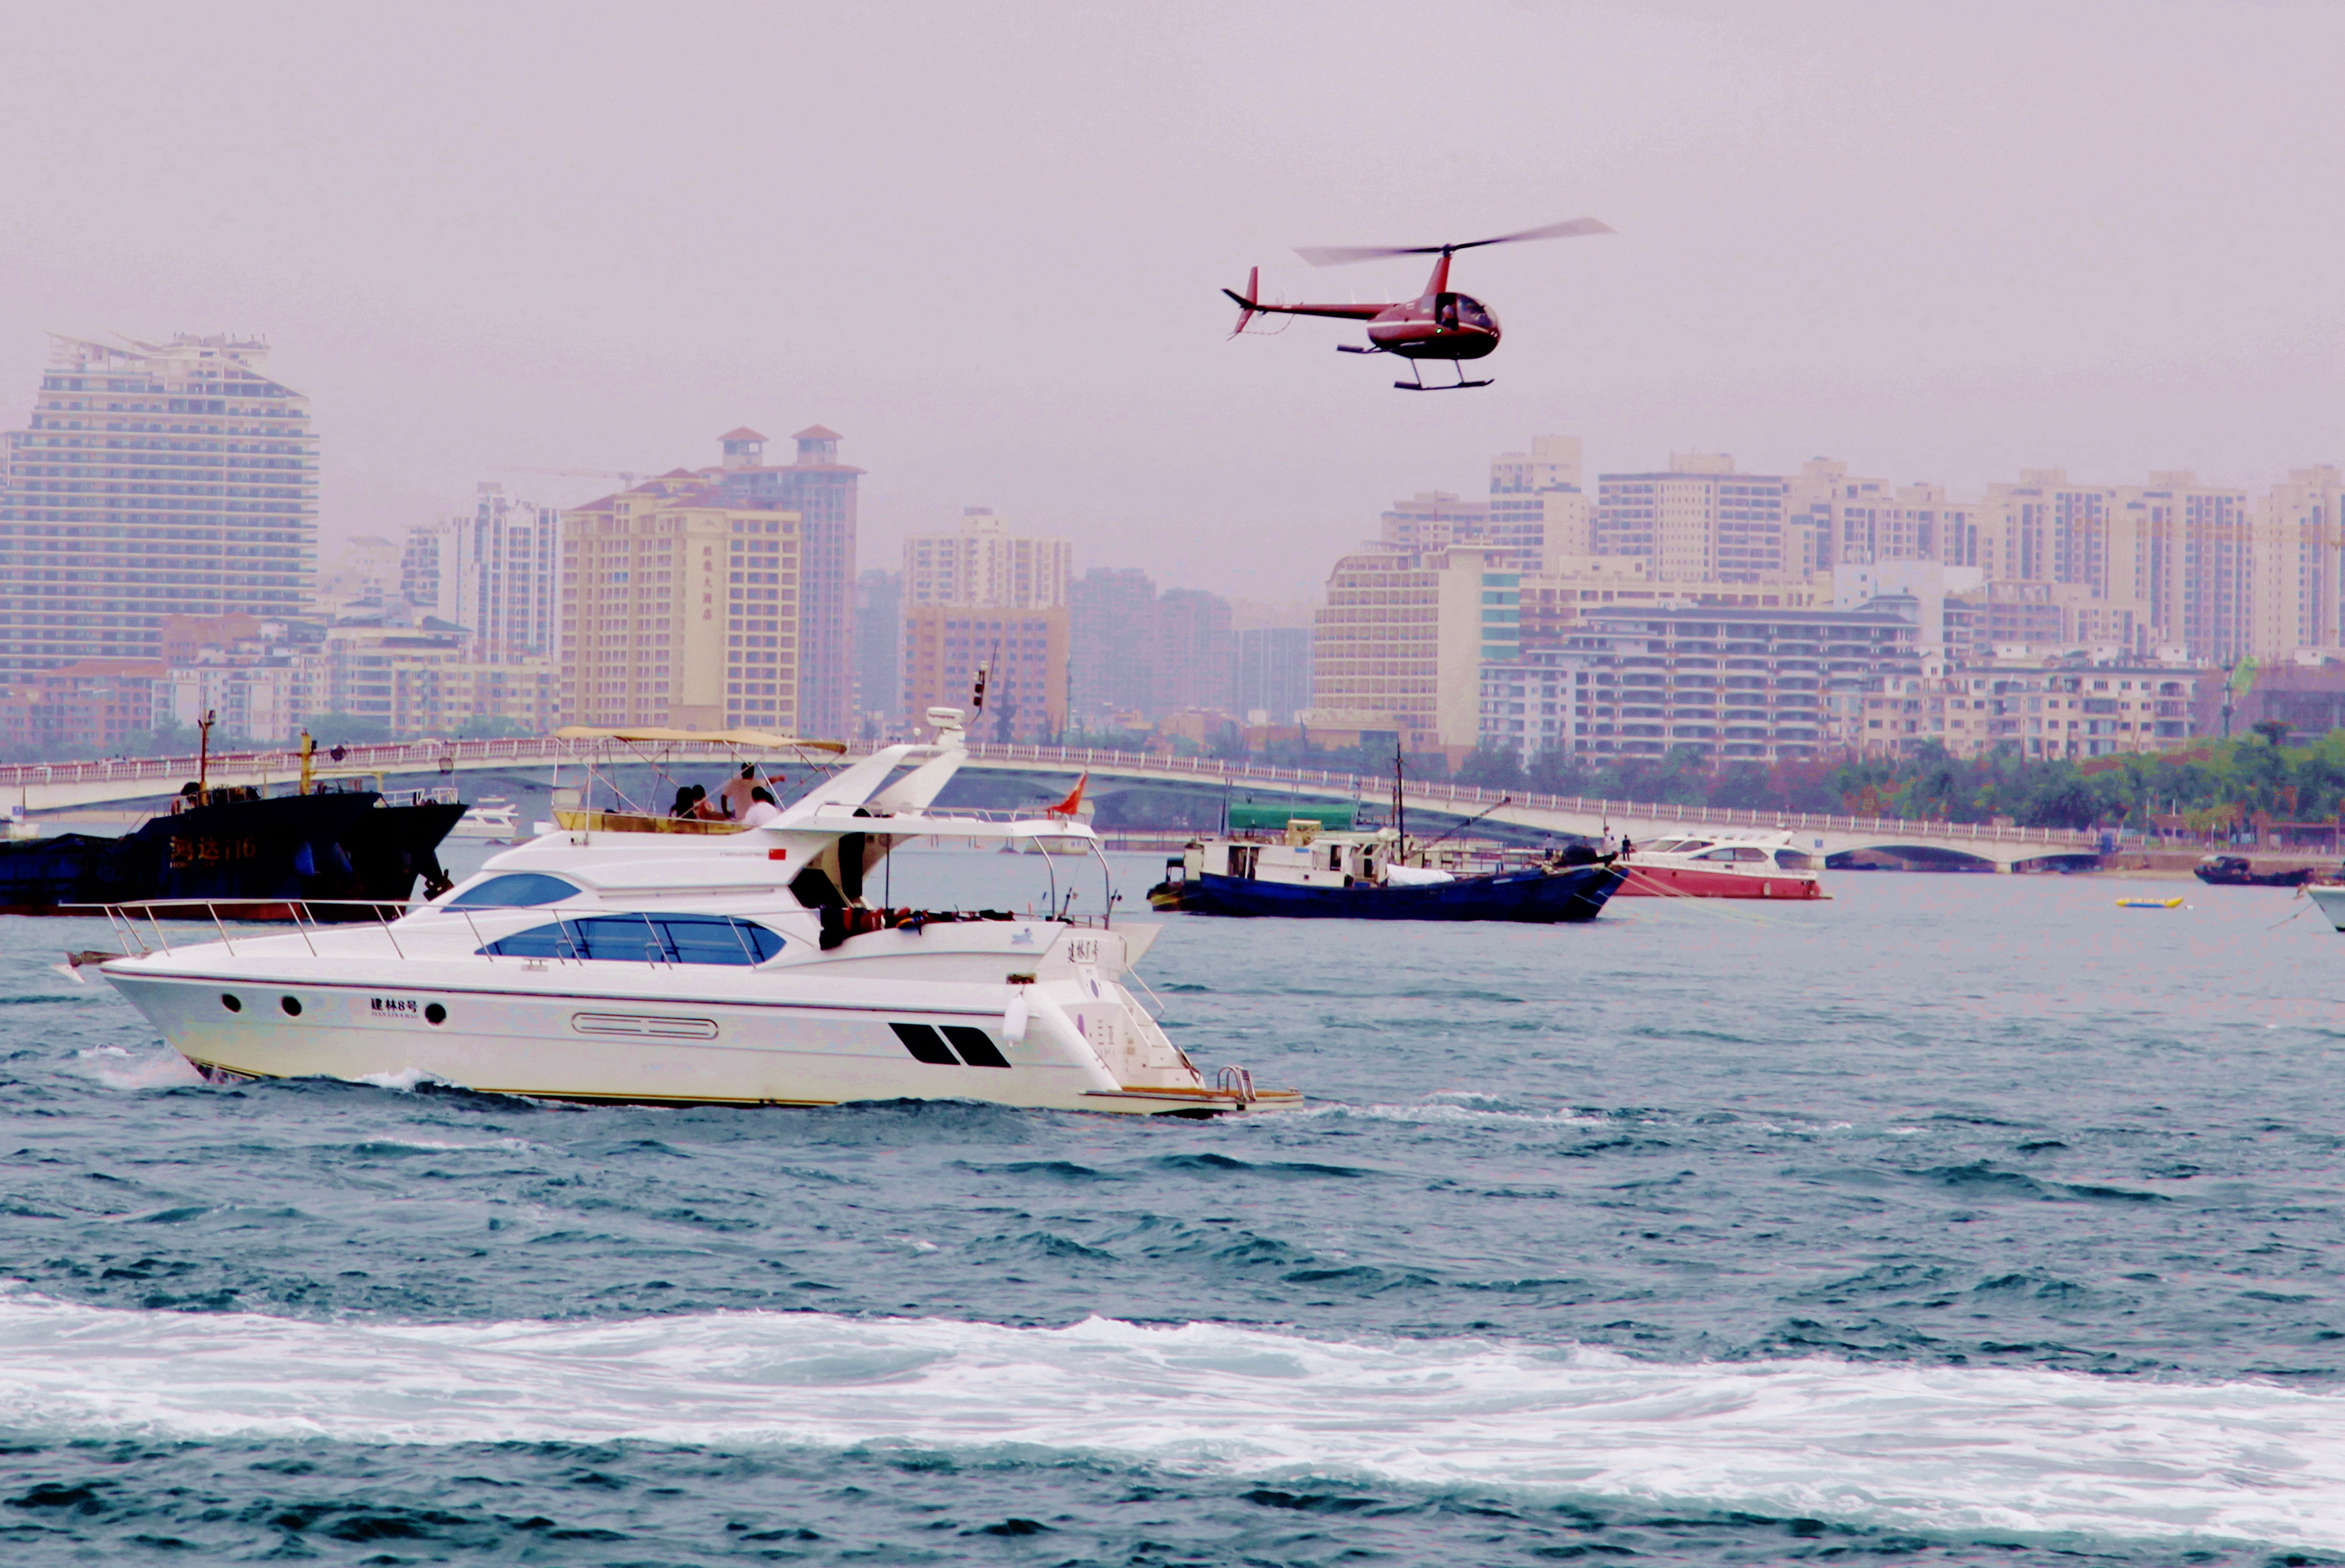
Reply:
x=1959, y=1220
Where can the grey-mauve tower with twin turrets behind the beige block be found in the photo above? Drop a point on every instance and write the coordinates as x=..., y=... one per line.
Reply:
x=822, y=493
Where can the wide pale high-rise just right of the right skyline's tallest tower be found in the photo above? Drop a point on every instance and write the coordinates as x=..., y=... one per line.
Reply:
x=1699, y=521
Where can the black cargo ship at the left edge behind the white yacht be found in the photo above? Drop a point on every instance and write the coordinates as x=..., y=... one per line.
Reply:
x=250, y=852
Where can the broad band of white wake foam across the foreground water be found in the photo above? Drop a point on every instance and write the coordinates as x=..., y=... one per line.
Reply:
x=1915, y=1447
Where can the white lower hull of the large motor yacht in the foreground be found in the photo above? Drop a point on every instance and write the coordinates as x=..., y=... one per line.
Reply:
x=566, y=1032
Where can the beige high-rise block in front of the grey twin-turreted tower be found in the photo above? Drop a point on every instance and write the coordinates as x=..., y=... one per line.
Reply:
x=681, y=611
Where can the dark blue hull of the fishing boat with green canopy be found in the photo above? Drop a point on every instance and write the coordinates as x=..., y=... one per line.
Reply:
x=1575, y=894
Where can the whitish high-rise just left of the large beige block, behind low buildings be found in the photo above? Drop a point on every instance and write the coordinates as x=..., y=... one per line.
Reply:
x=494, y=573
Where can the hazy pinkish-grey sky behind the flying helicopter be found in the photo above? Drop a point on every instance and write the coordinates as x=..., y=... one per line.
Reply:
x=986, y=243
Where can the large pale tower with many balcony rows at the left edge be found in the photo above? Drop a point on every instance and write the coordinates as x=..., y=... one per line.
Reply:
x=156, y=479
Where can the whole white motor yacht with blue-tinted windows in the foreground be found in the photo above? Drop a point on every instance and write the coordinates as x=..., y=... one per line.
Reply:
x=646, y=960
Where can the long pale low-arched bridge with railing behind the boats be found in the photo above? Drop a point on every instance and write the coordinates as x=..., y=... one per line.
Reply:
x=53, y=786
